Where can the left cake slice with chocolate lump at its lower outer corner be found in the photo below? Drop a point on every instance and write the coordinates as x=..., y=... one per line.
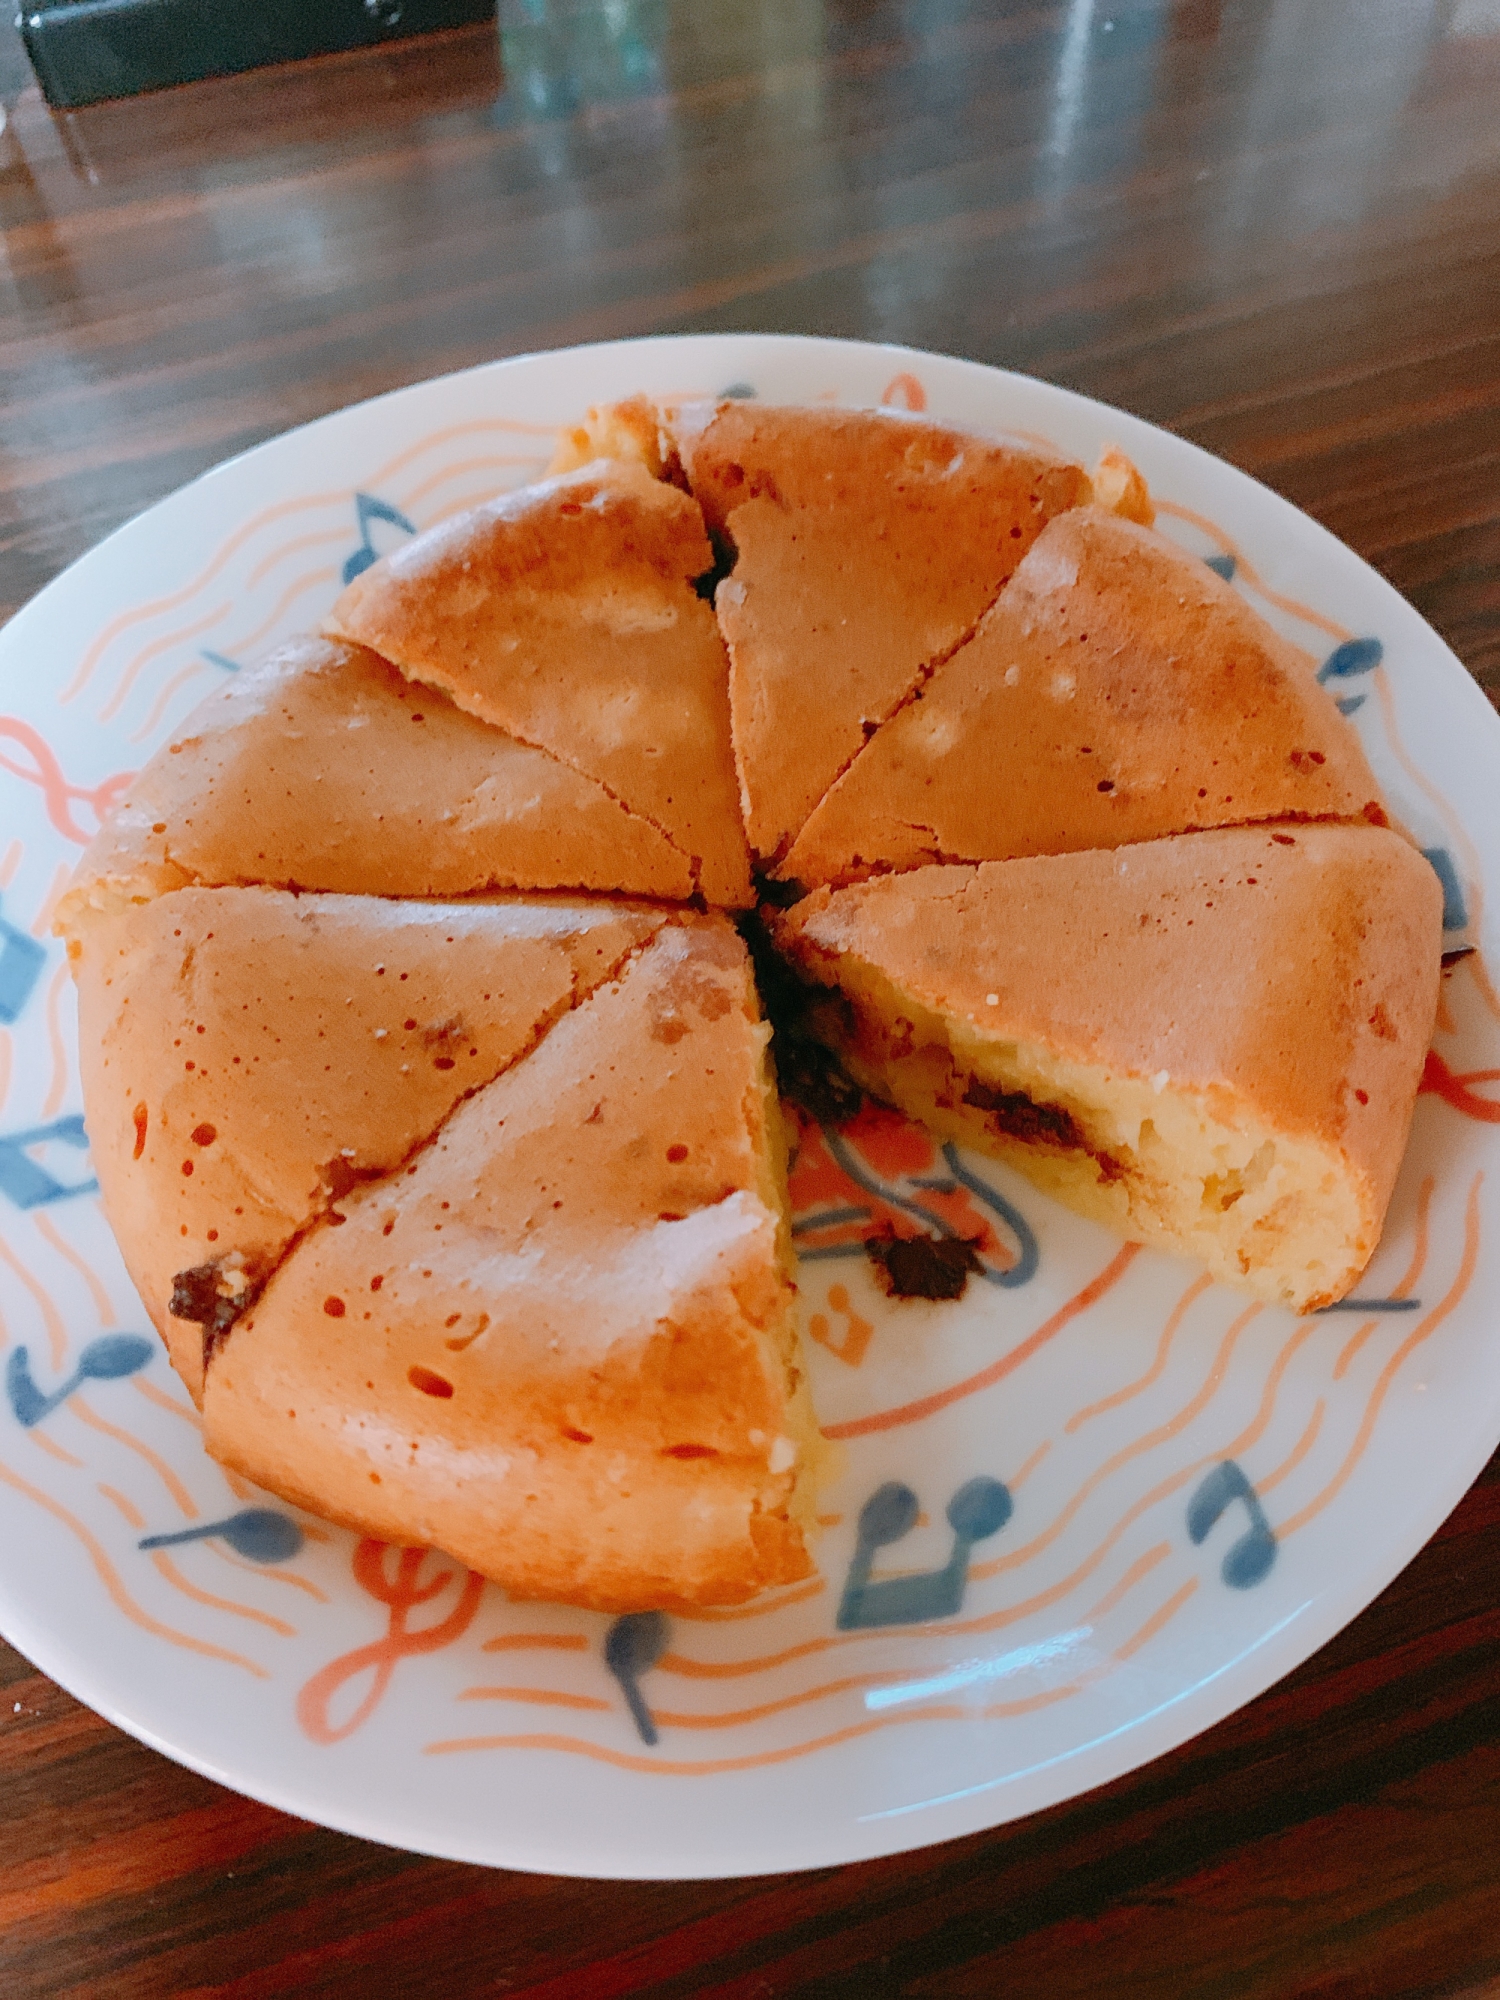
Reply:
x=249, y=1057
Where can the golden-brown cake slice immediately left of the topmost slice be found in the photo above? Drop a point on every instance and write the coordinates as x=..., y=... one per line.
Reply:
x=567, y=615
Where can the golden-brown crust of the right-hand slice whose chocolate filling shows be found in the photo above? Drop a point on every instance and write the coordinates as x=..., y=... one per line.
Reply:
x=1287, y=979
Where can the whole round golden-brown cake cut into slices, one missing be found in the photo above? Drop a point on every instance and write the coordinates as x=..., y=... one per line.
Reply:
x=429, y=1079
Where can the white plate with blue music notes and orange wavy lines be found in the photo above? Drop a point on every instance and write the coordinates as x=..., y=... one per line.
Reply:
x=1105, y=1389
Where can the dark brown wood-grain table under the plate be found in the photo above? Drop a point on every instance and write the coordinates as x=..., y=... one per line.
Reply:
x=1271, y=225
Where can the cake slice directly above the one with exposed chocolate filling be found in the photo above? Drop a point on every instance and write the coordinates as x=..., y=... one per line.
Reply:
x=1117, y=691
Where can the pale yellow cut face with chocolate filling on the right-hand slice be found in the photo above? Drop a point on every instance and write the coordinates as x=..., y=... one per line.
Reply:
x=1187, y=1171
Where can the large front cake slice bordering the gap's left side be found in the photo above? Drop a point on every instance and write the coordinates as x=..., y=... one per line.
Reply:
x=561, y=1345
